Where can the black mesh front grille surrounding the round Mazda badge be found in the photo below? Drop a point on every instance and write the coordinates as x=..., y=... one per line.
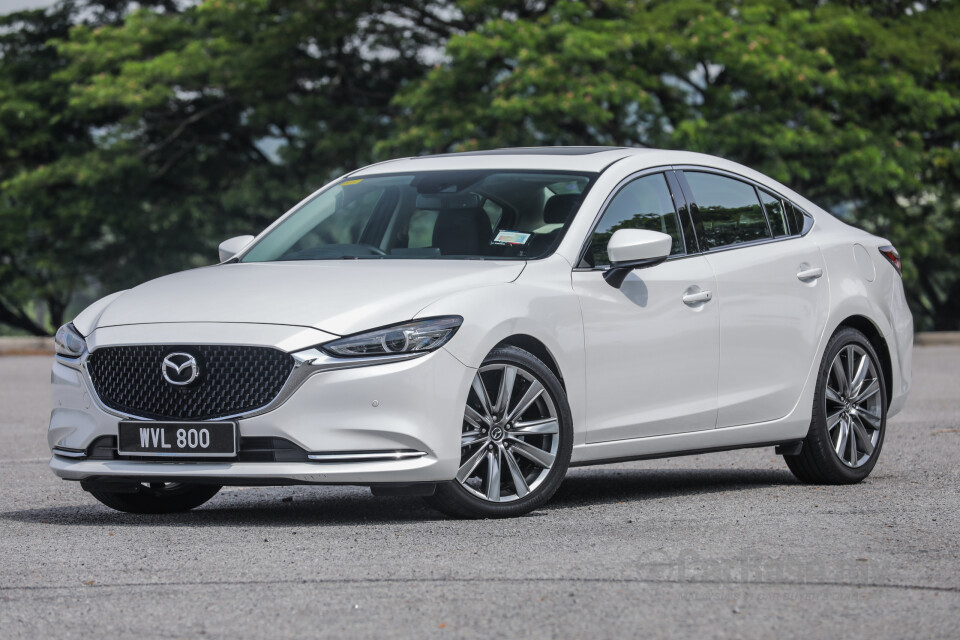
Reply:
x=232, y=380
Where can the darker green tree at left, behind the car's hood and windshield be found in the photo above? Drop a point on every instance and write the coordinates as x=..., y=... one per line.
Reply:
x=166, y=128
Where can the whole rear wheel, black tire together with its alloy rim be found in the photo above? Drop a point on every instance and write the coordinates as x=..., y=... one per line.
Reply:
x=845, y=410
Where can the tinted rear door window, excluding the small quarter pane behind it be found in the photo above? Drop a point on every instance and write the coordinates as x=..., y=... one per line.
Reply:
x=729, y=209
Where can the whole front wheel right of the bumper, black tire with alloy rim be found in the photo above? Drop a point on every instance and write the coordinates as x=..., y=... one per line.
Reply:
x=526, y=449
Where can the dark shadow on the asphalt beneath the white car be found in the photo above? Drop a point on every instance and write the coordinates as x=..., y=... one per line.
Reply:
x=343, y=506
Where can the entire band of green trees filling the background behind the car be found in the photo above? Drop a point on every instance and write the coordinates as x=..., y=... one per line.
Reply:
x=136, y=136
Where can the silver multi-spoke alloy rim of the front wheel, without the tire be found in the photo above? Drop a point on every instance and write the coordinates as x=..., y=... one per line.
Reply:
x=510, y=437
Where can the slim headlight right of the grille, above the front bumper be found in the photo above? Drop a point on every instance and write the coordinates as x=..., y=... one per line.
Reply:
x=409, y=337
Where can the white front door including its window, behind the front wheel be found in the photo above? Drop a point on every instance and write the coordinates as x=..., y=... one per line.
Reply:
x=652, y=346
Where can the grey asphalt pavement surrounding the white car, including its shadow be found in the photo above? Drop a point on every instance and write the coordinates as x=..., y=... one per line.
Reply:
x=719, y=545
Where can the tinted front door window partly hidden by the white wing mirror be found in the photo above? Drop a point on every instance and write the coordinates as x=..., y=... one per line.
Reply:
x=645, y=203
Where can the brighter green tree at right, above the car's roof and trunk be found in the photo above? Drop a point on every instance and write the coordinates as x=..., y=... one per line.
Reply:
x=856, y=104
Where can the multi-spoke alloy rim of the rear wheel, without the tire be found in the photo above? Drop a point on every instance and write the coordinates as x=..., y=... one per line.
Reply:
x=853, y=406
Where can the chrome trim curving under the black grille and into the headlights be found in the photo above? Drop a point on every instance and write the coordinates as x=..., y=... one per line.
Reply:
x=307, y=363
